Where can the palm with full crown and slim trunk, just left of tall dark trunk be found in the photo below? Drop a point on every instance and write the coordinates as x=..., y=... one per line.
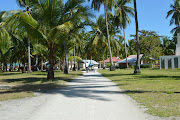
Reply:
x=122, y=13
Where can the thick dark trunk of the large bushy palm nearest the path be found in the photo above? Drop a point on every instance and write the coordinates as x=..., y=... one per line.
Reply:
x=50, y=75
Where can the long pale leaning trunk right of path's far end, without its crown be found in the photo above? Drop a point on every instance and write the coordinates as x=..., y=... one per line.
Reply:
x=112, y=68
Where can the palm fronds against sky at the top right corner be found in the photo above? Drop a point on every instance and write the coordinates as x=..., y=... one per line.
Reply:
x=175, y=12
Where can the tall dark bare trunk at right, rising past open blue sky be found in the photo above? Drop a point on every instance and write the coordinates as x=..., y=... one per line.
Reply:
x=137, y=68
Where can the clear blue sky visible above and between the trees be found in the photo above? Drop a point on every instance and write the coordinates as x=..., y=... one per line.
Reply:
x=151, y=15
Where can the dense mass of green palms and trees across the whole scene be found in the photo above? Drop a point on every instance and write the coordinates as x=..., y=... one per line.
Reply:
x=58, y=34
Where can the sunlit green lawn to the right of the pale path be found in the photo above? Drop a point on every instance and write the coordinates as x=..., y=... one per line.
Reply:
x=158, y=90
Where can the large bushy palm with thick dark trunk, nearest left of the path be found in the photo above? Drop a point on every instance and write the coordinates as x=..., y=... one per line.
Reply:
x=57, y=22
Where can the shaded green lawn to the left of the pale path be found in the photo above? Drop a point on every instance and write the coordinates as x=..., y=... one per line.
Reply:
x=18, y=85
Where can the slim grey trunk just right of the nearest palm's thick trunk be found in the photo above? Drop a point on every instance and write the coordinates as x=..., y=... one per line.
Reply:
x=66, y=68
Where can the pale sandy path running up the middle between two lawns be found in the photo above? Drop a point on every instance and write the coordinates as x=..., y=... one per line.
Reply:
x=89, y=97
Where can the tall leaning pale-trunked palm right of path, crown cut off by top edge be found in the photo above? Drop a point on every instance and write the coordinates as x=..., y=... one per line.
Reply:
x=108, y=4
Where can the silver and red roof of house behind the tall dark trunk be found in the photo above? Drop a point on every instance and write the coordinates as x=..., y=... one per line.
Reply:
x=131, y=59
